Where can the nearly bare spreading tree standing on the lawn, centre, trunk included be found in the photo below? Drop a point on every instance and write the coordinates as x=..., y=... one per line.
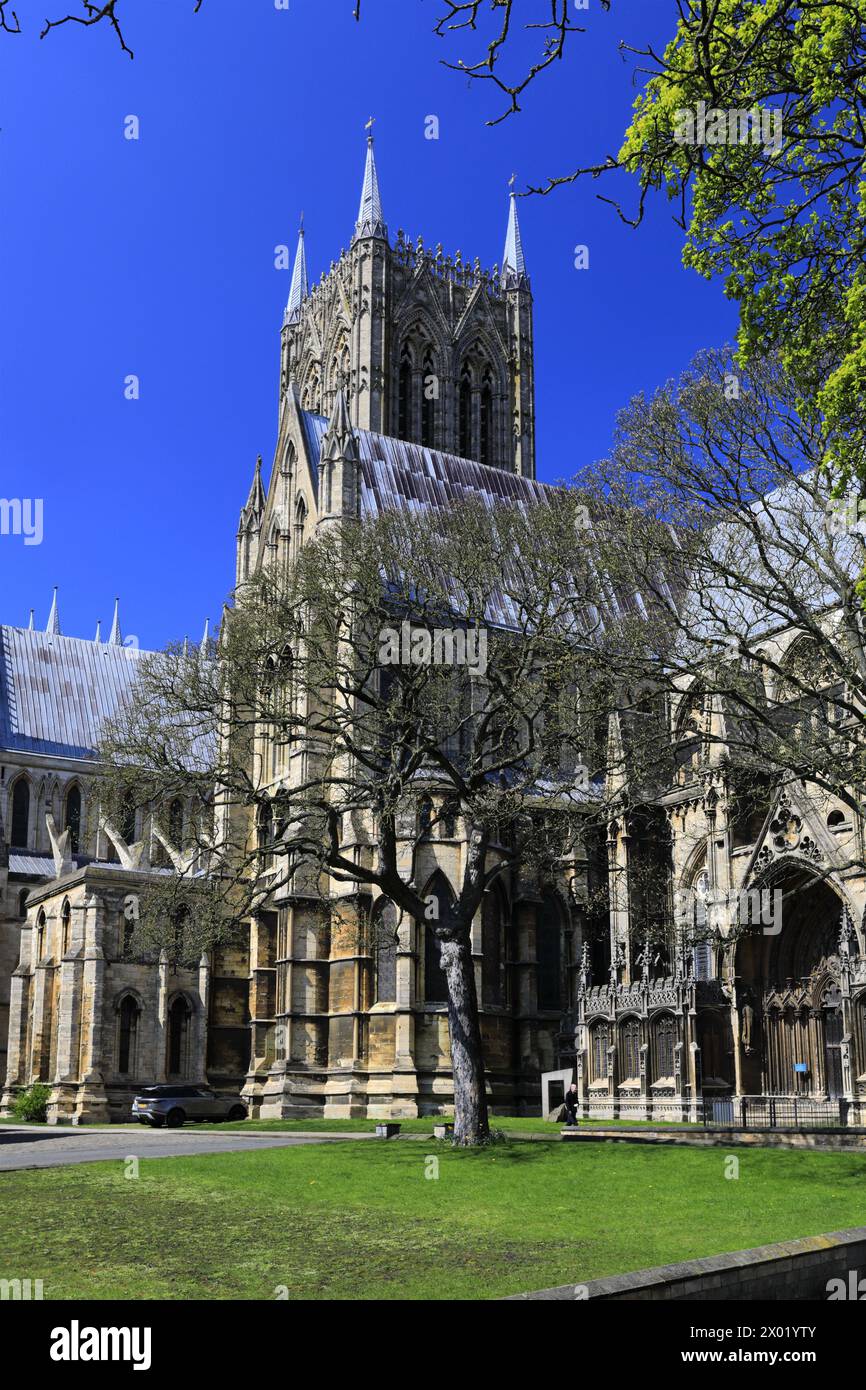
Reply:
x=336, y=737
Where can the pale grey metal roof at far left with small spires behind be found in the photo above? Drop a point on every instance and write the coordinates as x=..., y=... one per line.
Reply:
x=58, y=692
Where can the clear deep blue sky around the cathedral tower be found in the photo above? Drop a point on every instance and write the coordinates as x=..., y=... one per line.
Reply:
x=156, y=258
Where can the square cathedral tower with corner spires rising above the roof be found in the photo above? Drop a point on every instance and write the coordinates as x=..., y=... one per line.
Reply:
x=429, y=348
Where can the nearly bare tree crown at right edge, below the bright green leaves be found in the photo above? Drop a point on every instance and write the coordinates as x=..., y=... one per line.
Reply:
x=765, y=668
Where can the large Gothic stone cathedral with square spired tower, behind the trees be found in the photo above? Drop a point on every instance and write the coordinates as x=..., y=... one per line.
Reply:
x=407, y=380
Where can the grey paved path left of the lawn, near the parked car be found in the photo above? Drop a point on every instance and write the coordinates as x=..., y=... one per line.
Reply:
x=37, y=1146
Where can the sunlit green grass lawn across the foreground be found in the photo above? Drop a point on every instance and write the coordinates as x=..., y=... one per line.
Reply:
x=361, y=1221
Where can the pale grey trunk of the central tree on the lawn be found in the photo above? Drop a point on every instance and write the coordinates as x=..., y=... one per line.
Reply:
x=466, y=1056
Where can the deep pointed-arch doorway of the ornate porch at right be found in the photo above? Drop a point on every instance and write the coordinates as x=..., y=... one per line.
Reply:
x=792, y=1027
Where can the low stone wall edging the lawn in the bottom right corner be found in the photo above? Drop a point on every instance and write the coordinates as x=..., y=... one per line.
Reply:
x=793, y=1270
